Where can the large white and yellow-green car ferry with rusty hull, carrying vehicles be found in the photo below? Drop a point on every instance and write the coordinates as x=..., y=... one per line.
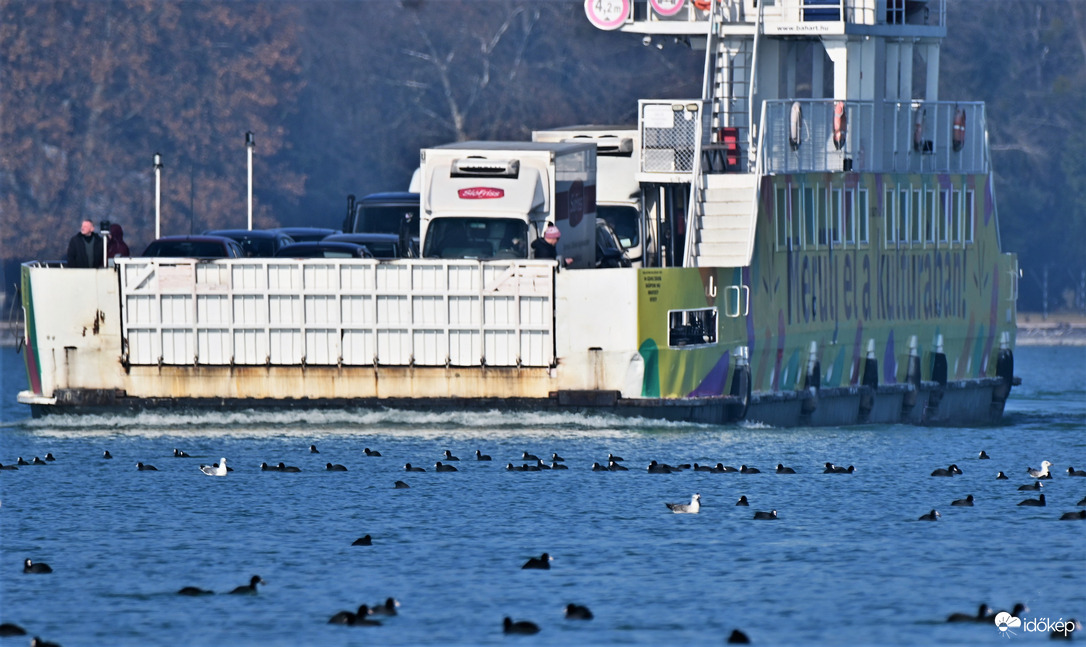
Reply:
x=819, y=246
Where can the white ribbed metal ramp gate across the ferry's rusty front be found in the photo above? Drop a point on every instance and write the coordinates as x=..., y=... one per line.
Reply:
x=271, y=312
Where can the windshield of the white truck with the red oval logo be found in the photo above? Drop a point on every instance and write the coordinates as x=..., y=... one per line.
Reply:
x=476, y=238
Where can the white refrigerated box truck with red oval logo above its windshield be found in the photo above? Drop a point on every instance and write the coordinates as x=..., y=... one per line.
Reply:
x=490, y=200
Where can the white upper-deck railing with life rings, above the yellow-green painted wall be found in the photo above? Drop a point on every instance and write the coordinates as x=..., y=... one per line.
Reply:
x=898, y=137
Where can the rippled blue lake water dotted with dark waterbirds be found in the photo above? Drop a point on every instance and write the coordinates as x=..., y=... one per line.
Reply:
x=847, y=563
